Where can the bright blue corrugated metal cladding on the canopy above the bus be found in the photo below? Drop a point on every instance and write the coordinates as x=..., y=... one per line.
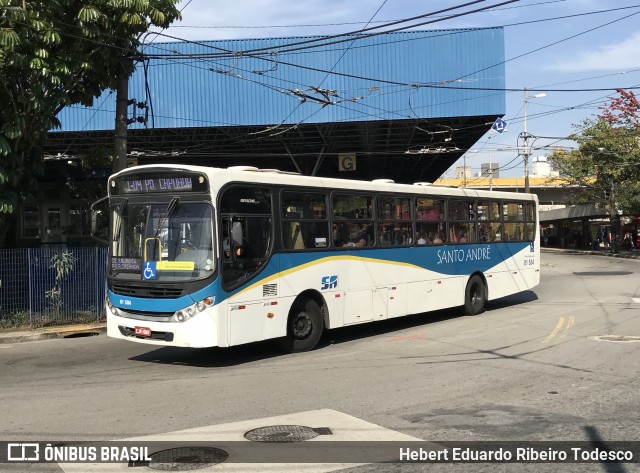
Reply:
x=373, y=81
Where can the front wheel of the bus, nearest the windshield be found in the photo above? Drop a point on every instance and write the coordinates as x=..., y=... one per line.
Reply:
x=304, y=327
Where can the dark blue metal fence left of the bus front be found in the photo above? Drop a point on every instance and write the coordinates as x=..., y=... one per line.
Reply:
x=50, y=286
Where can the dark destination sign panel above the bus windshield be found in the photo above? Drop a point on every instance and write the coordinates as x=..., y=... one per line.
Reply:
x=143, y=184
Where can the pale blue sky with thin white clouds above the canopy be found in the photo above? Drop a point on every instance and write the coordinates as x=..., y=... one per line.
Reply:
x=561, y=47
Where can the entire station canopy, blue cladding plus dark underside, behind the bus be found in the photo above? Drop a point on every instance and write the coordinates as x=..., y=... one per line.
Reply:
x=403, y=106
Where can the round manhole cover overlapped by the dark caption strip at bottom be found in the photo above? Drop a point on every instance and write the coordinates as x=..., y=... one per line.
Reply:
x=187, y=458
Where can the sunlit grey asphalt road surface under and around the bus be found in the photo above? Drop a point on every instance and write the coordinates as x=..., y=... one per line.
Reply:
x=531, y=368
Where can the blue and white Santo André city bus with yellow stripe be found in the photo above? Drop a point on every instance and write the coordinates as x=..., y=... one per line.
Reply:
x=203, y=257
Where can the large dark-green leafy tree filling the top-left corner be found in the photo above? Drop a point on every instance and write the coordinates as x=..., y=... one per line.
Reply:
x=56, y=53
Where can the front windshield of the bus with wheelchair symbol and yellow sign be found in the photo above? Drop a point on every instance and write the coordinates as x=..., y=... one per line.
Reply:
x=162, y=242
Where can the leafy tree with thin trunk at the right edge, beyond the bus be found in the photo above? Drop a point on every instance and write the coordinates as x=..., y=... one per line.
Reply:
x=606, y=165
